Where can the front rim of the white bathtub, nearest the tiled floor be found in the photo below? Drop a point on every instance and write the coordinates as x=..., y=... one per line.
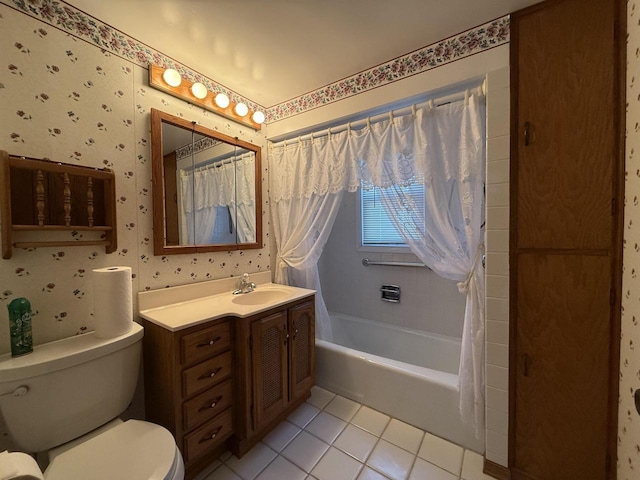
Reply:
x=447, y=380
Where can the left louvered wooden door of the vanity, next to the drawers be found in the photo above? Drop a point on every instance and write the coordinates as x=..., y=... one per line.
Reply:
x=269, y=339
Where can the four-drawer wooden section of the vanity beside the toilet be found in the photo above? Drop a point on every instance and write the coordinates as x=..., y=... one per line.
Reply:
x=189, y=388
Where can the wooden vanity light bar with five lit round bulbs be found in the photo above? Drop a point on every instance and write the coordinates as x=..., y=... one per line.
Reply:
x=169, y=81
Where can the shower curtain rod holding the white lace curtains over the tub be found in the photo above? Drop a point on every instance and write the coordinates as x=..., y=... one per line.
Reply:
x=358, y=124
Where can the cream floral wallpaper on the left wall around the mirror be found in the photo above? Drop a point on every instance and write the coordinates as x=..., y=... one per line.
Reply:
x=76, y=102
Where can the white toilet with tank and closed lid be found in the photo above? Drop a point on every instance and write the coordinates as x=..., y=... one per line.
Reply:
x=64, y=399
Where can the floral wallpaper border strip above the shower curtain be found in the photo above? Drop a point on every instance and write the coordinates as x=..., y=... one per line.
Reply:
x=484, y=37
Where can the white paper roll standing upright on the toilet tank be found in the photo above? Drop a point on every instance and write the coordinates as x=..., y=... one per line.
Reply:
x=112, y=301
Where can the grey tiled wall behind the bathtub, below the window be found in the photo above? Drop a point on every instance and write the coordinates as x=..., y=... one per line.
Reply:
x=428, y=302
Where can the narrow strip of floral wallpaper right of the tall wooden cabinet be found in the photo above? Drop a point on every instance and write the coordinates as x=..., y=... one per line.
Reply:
x=628, y=418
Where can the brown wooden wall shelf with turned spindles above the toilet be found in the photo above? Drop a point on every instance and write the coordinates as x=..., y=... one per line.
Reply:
x=40, y=195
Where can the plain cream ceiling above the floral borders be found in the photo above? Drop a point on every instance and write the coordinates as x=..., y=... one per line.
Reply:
x=270, y=51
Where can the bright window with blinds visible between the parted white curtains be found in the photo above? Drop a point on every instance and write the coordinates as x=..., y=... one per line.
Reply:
x=377, y=229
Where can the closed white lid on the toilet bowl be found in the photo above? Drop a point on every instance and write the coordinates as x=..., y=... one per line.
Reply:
x=134, y=450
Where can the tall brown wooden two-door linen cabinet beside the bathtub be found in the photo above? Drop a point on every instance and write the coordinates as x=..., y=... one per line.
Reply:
x=566, y=180
